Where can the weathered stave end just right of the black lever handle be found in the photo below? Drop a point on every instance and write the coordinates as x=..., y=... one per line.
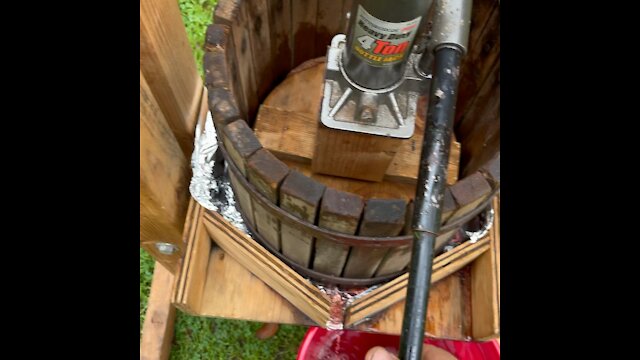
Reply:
x=469, y=193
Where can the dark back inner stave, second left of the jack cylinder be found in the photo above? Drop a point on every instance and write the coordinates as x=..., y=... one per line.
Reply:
x=303, y=25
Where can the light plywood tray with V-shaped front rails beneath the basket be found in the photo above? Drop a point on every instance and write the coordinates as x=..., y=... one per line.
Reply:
x=227, y=274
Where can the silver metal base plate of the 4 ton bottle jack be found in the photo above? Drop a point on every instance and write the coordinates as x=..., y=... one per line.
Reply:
x=348, y=106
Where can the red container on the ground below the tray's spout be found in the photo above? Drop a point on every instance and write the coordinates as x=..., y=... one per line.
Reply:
x=322, y=344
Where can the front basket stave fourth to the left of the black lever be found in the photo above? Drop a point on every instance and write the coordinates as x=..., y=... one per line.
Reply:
x=266, y=173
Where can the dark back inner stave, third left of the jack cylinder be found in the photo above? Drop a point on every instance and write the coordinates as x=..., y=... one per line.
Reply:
x=281, y=38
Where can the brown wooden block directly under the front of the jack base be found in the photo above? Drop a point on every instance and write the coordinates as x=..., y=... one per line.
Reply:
x=353, y=155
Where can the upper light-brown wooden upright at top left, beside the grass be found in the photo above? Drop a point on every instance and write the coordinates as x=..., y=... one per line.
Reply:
x=168, y=65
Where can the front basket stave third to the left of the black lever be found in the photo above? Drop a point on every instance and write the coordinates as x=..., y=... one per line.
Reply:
x=300, y=196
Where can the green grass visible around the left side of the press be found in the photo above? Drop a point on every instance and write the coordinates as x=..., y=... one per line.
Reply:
x=206, y=338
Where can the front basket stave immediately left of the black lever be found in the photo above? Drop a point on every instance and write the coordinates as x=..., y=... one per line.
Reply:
x=382, y=217
